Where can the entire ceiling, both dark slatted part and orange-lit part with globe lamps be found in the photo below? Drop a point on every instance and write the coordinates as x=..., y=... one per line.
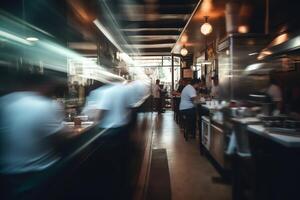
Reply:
x=159, y=27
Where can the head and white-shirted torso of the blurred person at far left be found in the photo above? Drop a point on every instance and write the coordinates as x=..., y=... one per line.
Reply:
x=30, y=119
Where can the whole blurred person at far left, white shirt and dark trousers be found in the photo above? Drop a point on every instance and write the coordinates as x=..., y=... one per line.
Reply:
x=30, y=131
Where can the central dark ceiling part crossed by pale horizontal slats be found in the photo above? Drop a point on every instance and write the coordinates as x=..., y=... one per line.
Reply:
x=153, y=26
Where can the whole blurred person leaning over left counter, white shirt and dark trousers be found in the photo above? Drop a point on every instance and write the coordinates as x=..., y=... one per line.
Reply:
x=113, y=105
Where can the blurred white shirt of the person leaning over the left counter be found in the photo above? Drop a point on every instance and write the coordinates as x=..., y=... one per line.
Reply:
x=111, y=105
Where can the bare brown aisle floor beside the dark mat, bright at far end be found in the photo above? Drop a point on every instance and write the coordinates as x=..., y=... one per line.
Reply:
x=190, y=173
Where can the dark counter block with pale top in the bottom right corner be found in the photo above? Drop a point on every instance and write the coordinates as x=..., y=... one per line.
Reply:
x=276, y=162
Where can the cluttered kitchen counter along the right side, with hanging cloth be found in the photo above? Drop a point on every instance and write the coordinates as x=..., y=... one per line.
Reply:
x=251, y=147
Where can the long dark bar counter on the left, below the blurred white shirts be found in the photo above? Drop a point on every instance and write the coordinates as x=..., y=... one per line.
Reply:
x=93, y=163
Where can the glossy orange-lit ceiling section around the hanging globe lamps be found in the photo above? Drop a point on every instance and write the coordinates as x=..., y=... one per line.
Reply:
x=249, y=14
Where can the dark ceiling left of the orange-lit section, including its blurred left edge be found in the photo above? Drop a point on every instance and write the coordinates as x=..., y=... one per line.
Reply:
x=140, y=27
